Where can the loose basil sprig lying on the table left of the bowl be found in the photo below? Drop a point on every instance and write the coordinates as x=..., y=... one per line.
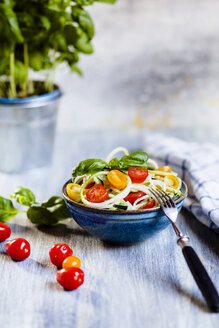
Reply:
x=50, y=212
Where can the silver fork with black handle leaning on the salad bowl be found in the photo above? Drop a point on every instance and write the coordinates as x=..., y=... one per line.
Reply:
x=196, y=267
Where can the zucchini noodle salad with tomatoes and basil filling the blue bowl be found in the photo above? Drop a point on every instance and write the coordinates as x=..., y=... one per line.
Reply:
x=121, y=184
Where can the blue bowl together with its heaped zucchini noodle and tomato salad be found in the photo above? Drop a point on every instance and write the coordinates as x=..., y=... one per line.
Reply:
x=112, y=200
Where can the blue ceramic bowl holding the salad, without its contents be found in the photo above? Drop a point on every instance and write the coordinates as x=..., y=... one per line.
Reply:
x=121, y=226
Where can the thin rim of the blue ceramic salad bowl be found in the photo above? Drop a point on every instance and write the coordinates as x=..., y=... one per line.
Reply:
x=122, y=212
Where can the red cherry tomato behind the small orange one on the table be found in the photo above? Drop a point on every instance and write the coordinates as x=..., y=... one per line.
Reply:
x=58, y=253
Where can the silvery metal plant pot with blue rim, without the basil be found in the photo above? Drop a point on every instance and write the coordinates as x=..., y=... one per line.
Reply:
x=27, y=131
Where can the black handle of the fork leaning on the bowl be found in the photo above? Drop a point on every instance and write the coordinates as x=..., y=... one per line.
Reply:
x=202, y=278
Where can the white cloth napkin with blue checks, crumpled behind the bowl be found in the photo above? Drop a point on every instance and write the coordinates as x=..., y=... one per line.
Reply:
x=198, y=165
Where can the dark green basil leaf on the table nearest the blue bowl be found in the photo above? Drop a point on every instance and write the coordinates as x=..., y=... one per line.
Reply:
x=50, y=212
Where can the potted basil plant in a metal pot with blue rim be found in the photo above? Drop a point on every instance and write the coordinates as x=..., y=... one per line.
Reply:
x=36, y=36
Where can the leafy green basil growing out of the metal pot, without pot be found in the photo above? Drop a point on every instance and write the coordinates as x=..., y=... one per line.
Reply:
x=39, y=35
